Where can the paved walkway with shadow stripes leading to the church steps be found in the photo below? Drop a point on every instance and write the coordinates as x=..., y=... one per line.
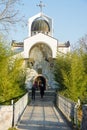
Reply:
x=42, y=115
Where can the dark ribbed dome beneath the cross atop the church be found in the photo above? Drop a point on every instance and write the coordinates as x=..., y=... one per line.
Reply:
x=40, y=25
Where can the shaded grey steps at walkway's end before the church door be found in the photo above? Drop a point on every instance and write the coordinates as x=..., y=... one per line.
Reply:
x=49, y=96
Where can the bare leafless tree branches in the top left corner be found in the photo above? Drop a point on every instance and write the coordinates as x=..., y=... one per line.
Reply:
x=8, y=14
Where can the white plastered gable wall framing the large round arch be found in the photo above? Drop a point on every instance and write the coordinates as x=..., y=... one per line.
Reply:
x=31, y=41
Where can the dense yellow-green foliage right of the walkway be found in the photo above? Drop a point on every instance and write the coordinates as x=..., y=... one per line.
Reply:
x=71, y=73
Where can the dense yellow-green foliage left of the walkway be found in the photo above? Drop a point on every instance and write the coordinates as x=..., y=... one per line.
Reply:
x=12, y=75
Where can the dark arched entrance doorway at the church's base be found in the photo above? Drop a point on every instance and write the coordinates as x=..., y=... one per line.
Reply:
x=40, y=79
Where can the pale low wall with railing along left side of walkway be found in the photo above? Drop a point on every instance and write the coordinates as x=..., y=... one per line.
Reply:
x=9, y=115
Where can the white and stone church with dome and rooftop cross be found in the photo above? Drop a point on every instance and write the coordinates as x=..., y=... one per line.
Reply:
x=39, y=50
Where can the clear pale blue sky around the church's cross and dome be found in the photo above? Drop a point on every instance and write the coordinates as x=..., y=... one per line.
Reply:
x=69, y=18
